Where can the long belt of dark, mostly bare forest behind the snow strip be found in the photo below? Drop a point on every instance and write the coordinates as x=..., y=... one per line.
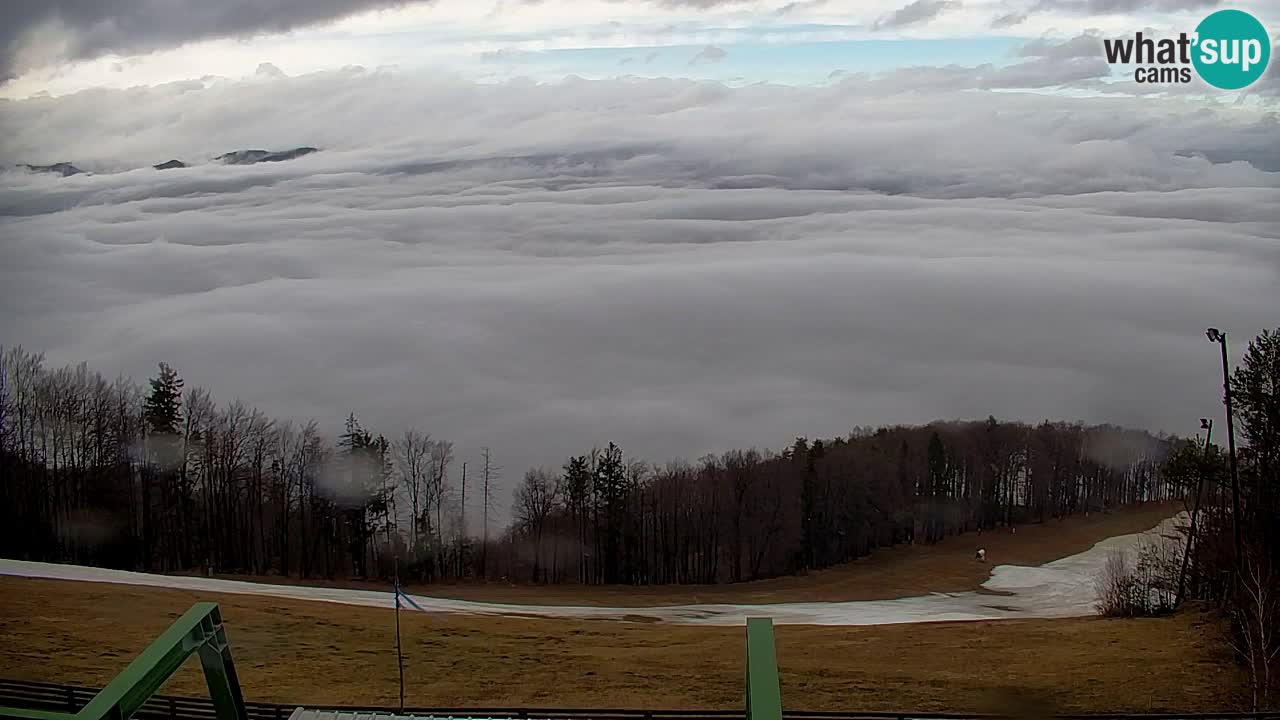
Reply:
x=161, y=479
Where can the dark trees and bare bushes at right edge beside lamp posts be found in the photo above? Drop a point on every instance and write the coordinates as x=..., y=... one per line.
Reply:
x=1227, y=558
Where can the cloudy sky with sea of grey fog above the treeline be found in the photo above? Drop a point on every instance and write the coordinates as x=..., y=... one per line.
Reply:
x=734, y=224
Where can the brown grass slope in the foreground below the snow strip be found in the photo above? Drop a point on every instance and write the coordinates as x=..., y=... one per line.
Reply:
x=318, y=653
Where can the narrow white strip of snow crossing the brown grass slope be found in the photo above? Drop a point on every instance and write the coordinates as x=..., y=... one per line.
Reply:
x=1064, y=589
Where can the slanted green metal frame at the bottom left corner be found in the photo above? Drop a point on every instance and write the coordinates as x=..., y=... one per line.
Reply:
x=199, y=631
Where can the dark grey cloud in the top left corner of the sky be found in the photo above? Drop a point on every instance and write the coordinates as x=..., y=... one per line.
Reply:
x=97, y=28
